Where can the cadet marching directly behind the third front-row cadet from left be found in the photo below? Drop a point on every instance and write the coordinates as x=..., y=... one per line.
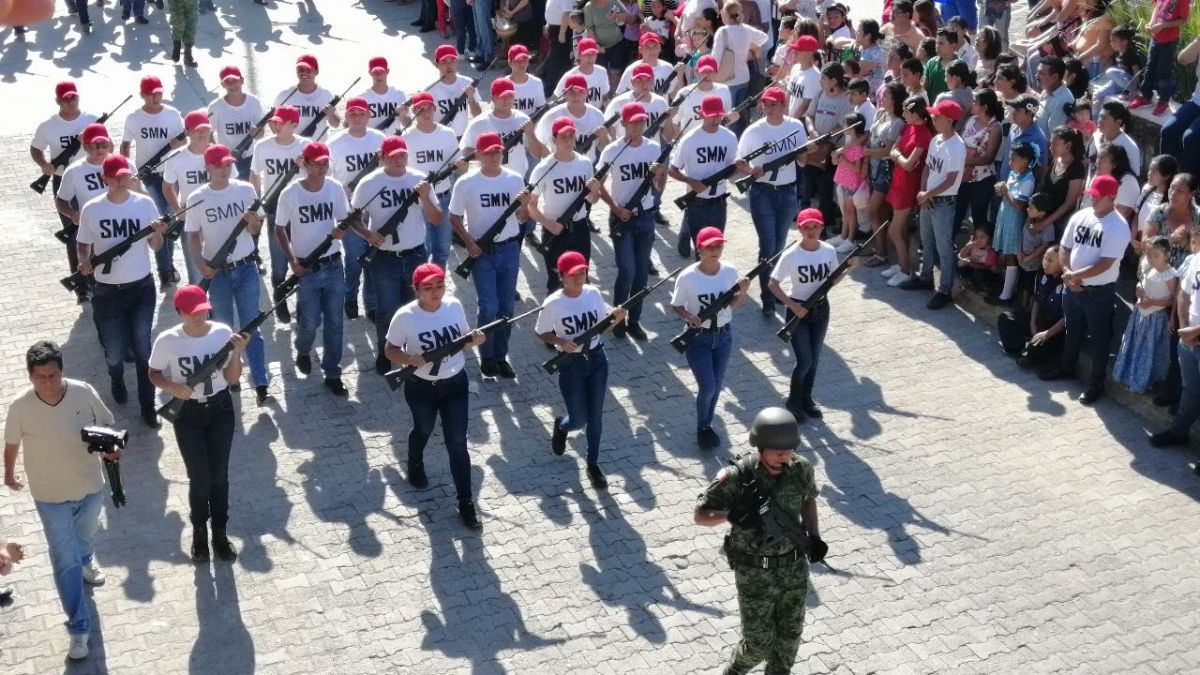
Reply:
x=559, y=181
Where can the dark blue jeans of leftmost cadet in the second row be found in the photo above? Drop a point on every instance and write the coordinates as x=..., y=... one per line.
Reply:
x=124, y=318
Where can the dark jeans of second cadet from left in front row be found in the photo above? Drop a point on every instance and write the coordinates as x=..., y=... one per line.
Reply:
x=447, y=398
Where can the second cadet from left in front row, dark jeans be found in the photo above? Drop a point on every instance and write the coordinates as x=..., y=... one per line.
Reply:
x=423, y=325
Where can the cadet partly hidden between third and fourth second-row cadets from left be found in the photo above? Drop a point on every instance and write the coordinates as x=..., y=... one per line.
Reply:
x=352, y=152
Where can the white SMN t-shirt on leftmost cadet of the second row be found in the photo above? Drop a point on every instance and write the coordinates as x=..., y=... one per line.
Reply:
x=105, y=224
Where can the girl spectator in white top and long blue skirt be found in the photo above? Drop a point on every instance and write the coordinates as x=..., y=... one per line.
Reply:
x=1145, y=349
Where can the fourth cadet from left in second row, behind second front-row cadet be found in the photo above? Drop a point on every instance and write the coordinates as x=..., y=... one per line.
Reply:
x=400, y=254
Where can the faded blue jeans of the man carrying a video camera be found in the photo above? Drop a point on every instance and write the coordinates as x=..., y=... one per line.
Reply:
x=71, y=530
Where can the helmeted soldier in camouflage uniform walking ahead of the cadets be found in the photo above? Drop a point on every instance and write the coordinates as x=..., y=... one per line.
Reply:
x=772, y=572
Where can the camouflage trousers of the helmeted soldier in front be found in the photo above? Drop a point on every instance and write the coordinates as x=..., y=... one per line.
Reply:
x=772, y=607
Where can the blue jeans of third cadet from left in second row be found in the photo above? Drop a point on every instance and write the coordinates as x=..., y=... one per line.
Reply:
x=321, y=298
